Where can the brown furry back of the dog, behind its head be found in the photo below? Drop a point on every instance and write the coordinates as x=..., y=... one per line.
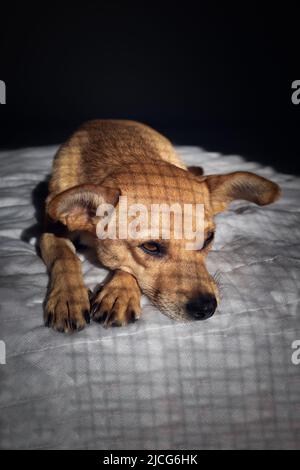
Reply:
x=99, y=146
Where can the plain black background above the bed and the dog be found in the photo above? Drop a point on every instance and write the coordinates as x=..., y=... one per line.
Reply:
x=218, y=76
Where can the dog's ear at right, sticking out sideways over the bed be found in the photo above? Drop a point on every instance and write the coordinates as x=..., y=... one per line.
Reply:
x=240, y=185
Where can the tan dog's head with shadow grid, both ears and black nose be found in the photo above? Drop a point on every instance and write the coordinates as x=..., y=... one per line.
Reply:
x=171, y=273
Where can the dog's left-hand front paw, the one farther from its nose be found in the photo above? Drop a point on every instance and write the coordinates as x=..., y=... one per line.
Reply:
x=67, y=310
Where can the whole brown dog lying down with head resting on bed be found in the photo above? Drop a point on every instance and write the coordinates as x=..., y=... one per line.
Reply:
x=100, y=162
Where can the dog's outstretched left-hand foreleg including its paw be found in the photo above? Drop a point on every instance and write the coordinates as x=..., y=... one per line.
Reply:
x=67, y=304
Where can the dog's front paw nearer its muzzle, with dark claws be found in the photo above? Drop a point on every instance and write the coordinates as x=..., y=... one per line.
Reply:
x=118, y=301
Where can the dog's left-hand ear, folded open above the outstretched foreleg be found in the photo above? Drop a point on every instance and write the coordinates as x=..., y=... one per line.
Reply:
x=76, y=207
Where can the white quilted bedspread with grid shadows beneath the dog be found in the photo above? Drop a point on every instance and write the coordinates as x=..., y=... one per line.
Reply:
x=228, y=382
